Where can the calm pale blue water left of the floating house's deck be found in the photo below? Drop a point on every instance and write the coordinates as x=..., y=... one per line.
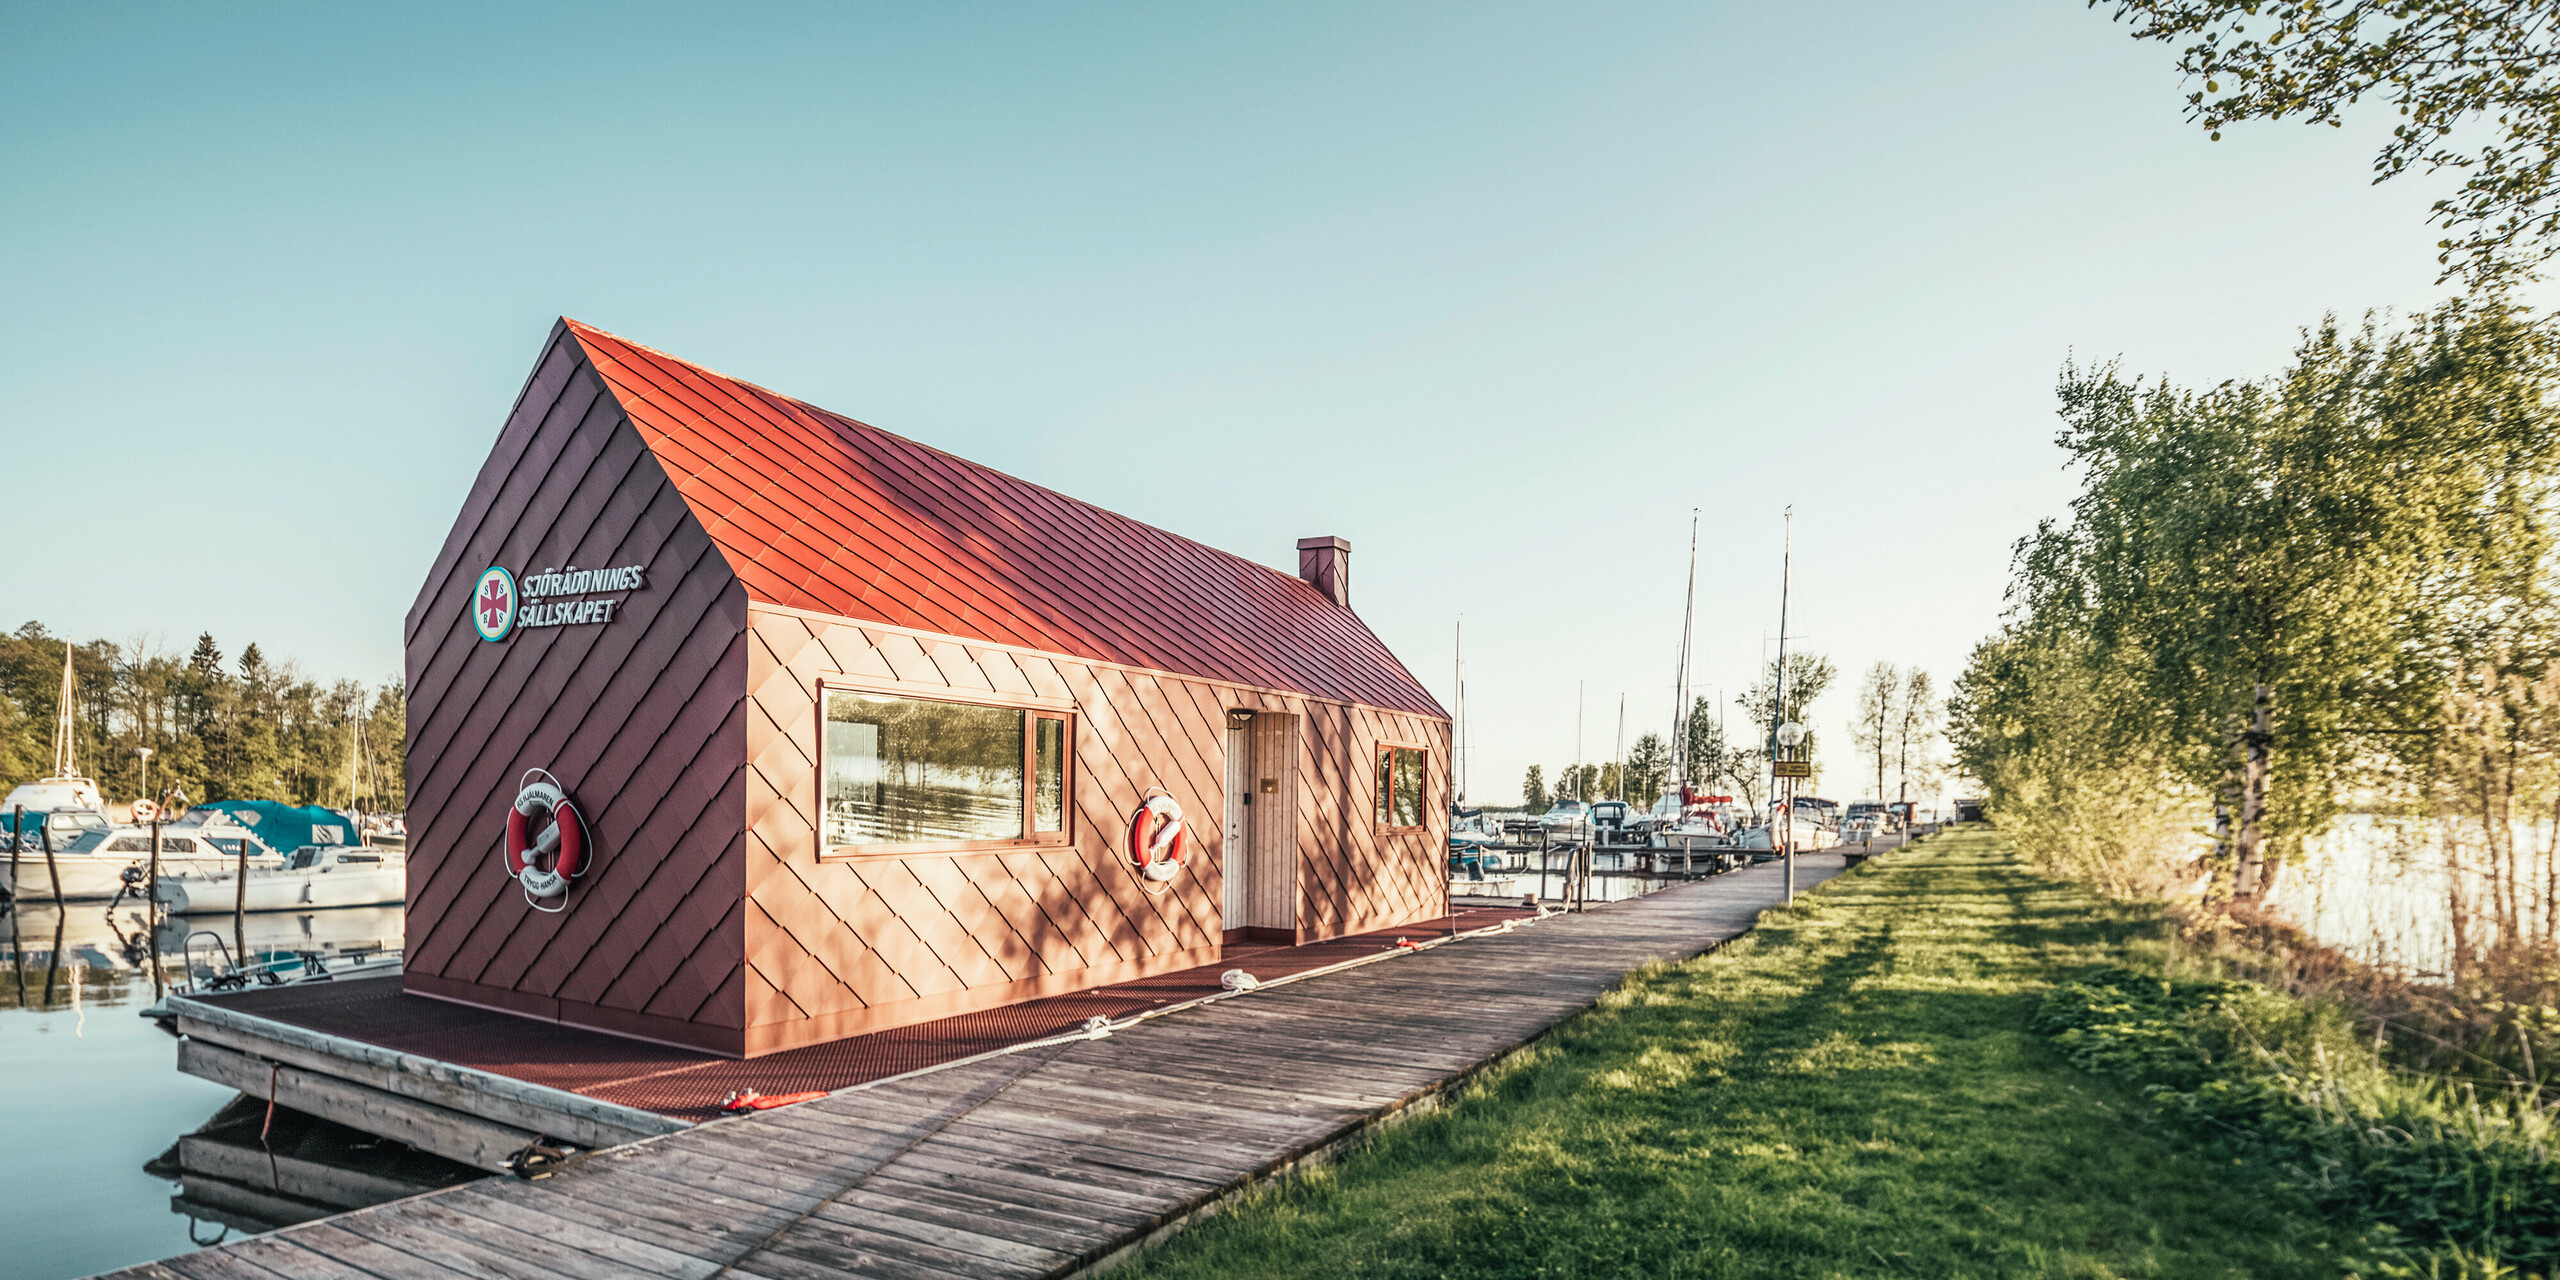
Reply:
x=91, y=1092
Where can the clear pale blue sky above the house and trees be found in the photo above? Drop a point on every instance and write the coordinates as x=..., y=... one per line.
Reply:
x=1494, y=293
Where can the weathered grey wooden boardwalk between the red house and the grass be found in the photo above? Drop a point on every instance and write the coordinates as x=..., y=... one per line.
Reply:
x=1036, y=1164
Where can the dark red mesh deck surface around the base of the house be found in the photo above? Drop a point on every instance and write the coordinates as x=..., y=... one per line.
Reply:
x=690, y=1084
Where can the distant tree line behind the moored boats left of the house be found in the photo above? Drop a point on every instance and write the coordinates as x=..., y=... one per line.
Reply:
x=216, y=726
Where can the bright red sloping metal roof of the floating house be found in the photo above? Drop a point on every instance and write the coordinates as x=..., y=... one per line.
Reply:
x=823, y=513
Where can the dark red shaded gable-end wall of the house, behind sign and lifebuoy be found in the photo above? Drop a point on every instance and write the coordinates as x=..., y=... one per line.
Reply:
x=641, y=718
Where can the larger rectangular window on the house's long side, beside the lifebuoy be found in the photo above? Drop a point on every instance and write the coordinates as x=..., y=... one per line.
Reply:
x=933, y=774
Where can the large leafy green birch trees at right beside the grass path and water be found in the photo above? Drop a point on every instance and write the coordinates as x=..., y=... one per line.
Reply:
x=2321, y=547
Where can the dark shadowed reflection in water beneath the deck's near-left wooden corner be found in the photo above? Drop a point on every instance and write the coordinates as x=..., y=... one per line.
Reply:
x=303, y=1169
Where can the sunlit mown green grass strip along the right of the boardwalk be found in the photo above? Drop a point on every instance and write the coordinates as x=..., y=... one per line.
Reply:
x=1850, y=1092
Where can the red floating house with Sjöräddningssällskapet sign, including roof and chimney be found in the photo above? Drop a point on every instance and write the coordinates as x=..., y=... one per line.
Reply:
x=744, y=726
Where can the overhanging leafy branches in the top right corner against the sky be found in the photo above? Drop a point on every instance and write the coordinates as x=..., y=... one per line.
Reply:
x=2446, y=65
